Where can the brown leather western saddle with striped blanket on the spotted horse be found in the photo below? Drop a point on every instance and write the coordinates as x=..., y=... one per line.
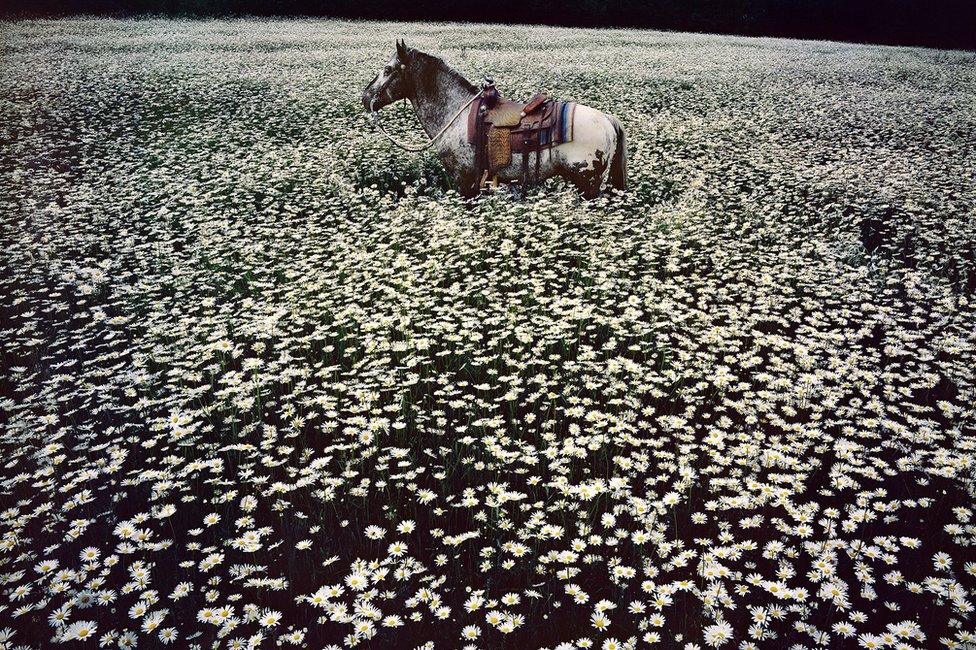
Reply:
x=499, y=127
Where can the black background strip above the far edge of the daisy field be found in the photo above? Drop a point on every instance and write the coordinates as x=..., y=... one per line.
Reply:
x=934, y=23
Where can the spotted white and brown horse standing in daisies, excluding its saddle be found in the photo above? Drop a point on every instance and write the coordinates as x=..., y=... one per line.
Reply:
x=440, y=95
